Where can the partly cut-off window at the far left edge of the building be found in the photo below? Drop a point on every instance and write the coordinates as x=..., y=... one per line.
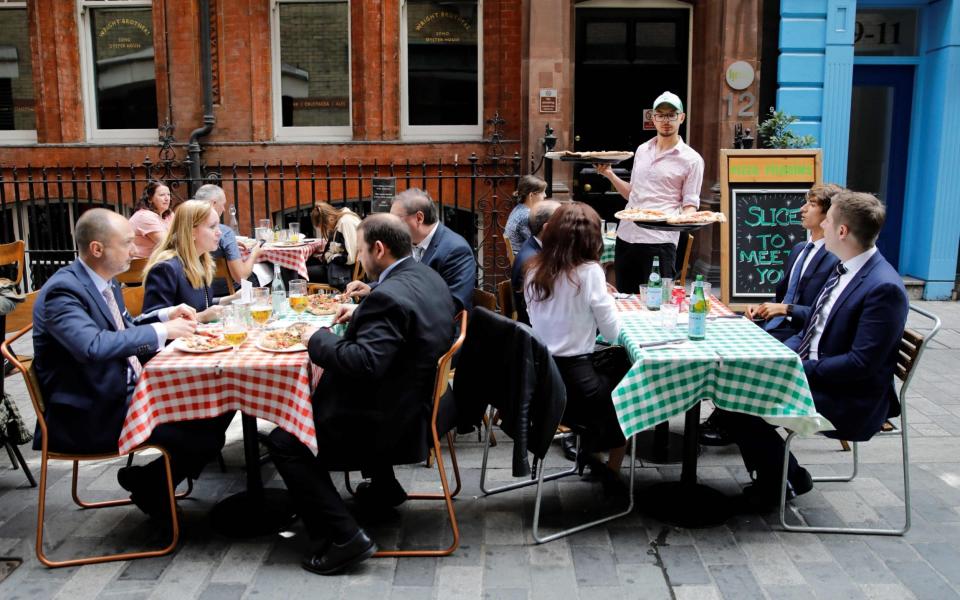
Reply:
x=17, y=111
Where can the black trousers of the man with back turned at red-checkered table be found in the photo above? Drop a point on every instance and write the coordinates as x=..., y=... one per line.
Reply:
x=315, y=497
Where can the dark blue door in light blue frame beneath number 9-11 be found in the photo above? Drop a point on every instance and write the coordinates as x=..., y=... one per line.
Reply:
x=879, y=137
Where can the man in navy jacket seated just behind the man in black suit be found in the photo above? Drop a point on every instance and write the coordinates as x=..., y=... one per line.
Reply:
x=435, y=245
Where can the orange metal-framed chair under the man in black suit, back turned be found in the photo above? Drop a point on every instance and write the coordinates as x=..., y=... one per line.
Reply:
x=440, y=387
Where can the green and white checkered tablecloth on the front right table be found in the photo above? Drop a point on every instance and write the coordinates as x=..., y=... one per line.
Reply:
x=738, y=366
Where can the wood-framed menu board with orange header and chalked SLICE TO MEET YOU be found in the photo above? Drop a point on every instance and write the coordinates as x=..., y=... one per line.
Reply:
x=761, y=192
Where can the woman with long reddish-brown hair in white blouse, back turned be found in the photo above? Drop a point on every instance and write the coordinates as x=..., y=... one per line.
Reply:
x=568, y=302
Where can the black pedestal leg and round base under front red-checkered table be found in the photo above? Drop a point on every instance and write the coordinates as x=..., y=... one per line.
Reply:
x=258, y=510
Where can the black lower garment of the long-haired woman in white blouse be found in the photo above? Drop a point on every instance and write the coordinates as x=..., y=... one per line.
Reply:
x=589, y=405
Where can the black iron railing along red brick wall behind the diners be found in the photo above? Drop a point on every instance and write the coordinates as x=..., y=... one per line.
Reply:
x=42, y=204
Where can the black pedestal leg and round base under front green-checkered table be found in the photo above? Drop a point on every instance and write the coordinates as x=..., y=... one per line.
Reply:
x=687, y=503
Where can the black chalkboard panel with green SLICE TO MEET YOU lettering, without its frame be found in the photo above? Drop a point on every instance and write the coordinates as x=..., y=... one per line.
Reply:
x=765, y=228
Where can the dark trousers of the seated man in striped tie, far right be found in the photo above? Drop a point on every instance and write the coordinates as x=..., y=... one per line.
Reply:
x=760, y=446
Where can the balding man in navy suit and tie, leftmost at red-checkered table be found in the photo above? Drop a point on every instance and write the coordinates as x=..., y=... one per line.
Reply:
x=88, y=355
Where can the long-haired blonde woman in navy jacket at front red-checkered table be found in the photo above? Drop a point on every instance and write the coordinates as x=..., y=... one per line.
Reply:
x=180, y=270
